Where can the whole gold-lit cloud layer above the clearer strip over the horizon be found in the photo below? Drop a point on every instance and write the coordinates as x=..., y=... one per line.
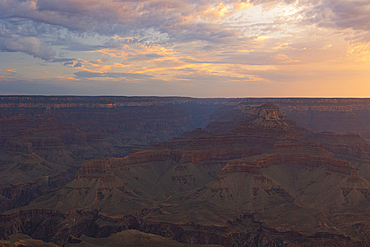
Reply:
x=184, y=40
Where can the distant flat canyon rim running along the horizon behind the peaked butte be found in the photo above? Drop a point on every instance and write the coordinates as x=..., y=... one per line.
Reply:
x=316, y=114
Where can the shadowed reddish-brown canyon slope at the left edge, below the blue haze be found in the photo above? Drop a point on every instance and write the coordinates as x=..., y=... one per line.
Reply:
x=26, y=175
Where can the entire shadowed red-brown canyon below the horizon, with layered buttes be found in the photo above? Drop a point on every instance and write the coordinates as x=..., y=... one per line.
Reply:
x=184, y=172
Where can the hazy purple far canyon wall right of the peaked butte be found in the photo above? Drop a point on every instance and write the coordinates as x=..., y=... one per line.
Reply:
x=338, y=115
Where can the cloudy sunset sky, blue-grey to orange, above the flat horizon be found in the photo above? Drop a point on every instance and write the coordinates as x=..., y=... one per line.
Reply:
x=198, y=48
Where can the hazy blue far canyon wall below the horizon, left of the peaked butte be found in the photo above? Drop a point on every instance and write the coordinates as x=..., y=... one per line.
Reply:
x=119, y=114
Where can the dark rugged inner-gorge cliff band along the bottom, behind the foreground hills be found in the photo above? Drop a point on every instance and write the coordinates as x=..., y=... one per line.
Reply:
x=37, y=224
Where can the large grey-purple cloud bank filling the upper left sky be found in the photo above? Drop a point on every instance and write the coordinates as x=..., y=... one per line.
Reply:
x=128, y=22
